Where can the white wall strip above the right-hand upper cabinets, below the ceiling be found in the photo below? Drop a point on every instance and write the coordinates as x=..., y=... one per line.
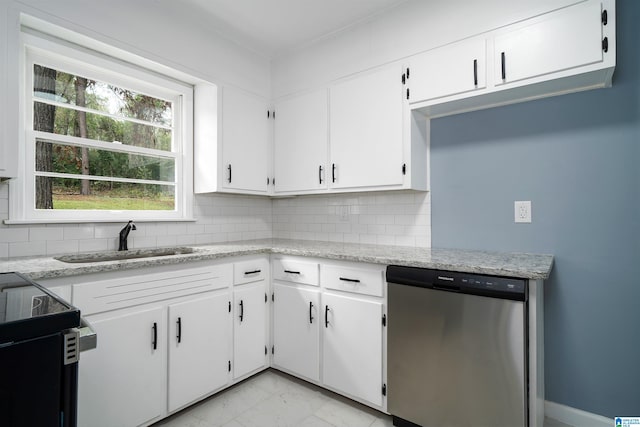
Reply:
x=413, y=27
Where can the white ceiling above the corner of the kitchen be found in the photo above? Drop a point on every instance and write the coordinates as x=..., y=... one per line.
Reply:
x=272, y=27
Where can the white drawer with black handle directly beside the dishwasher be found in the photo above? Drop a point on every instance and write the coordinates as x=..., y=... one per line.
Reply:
x=367, y=280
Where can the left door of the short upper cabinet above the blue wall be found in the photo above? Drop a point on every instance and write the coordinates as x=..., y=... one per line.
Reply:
x=450, y=70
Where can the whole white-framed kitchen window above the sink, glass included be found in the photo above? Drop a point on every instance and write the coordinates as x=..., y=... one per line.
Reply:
x=103, y=139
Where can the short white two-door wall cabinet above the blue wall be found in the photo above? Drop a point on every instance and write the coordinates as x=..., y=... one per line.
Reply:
x=563, y=51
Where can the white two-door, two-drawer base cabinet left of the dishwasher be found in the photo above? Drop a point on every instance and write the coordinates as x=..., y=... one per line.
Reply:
x=329, y=325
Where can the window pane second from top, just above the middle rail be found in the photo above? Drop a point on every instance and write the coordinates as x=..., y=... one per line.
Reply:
x=94, y=126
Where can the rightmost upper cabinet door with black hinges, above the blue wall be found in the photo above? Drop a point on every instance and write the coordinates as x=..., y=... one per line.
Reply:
x=559, y=41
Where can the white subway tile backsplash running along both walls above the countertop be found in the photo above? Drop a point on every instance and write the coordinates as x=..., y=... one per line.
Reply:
x=394, y=218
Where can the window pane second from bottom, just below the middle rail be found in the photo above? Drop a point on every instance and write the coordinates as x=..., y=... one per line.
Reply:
x=70, y=159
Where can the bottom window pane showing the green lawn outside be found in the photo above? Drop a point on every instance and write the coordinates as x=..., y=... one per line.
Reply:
x=105, y=195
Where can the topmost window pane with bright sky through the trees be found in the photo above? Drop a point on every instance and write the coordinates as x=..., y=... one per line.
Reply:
x=71, y=89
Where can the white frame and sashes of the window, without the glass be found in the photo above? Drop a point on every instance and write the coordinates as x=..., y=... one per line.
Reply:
x=64, y=56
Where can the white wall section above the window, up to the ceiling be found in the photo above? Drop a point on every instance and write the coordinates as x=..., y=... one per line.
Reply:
x=160, y=31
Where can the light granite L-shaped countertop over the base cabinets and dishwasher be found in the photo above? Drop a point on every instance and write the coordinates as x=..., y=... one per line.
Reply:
x=521, y=265
